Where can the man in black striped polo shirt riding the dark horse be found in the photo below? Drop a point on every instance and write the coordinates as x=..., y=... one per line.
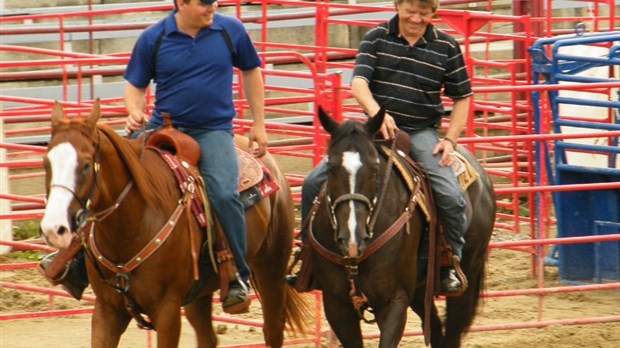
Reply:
x=403, y=65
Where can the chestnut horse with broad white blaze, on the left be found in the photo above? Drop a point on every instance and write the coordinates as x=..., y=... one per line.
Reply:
x=128, y=195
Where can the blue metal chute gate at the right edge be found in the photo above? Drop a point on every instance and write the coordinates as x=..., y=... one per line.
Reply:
x=584, y=212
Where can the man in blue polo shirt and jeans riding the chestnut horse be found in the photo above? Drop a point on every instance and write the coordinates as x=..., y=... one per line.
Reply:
x=190, y=56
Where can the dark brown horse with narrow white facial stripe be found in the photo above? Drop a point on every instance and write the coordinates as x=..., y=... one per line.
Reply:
x=367, y=232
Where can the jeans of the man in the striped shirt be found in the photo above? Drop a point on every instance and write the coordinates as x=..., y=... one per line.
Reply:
x=446, y=189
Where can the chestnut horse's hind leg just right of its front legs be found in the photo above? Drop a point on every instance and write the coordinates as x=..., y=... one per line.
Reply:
x=198, y=313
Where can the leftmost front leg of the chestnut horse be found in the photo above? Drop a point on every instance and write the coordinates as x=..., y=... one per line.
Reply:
x=108, y=324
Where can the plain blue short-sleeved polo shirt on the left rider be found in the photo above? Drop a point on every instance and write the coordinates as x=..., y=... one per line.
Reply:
x=194, y=75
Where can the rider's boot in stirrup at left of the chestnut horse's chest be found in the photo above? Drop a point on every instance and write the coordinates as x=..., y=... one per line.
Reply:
x=74, y=279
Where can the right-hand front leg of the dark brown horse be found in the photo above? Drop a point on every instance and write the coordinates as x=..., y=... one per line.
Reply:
x=391, y=320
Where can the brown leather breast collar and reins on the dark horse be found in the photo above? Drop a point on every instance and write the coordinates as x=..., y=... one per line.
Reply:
x=358, y=298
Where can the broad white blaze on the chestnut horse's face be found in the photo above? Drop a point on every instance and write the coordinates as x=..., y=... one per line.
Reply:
x=63, y=164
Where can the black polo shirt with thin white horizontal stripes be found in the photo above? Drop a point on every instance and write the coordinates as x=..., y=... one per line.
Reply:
x=407, y=80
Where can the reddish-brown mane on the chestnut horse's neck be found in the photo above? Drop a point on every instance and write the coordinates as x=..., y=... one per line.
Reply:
x=149, y=184
